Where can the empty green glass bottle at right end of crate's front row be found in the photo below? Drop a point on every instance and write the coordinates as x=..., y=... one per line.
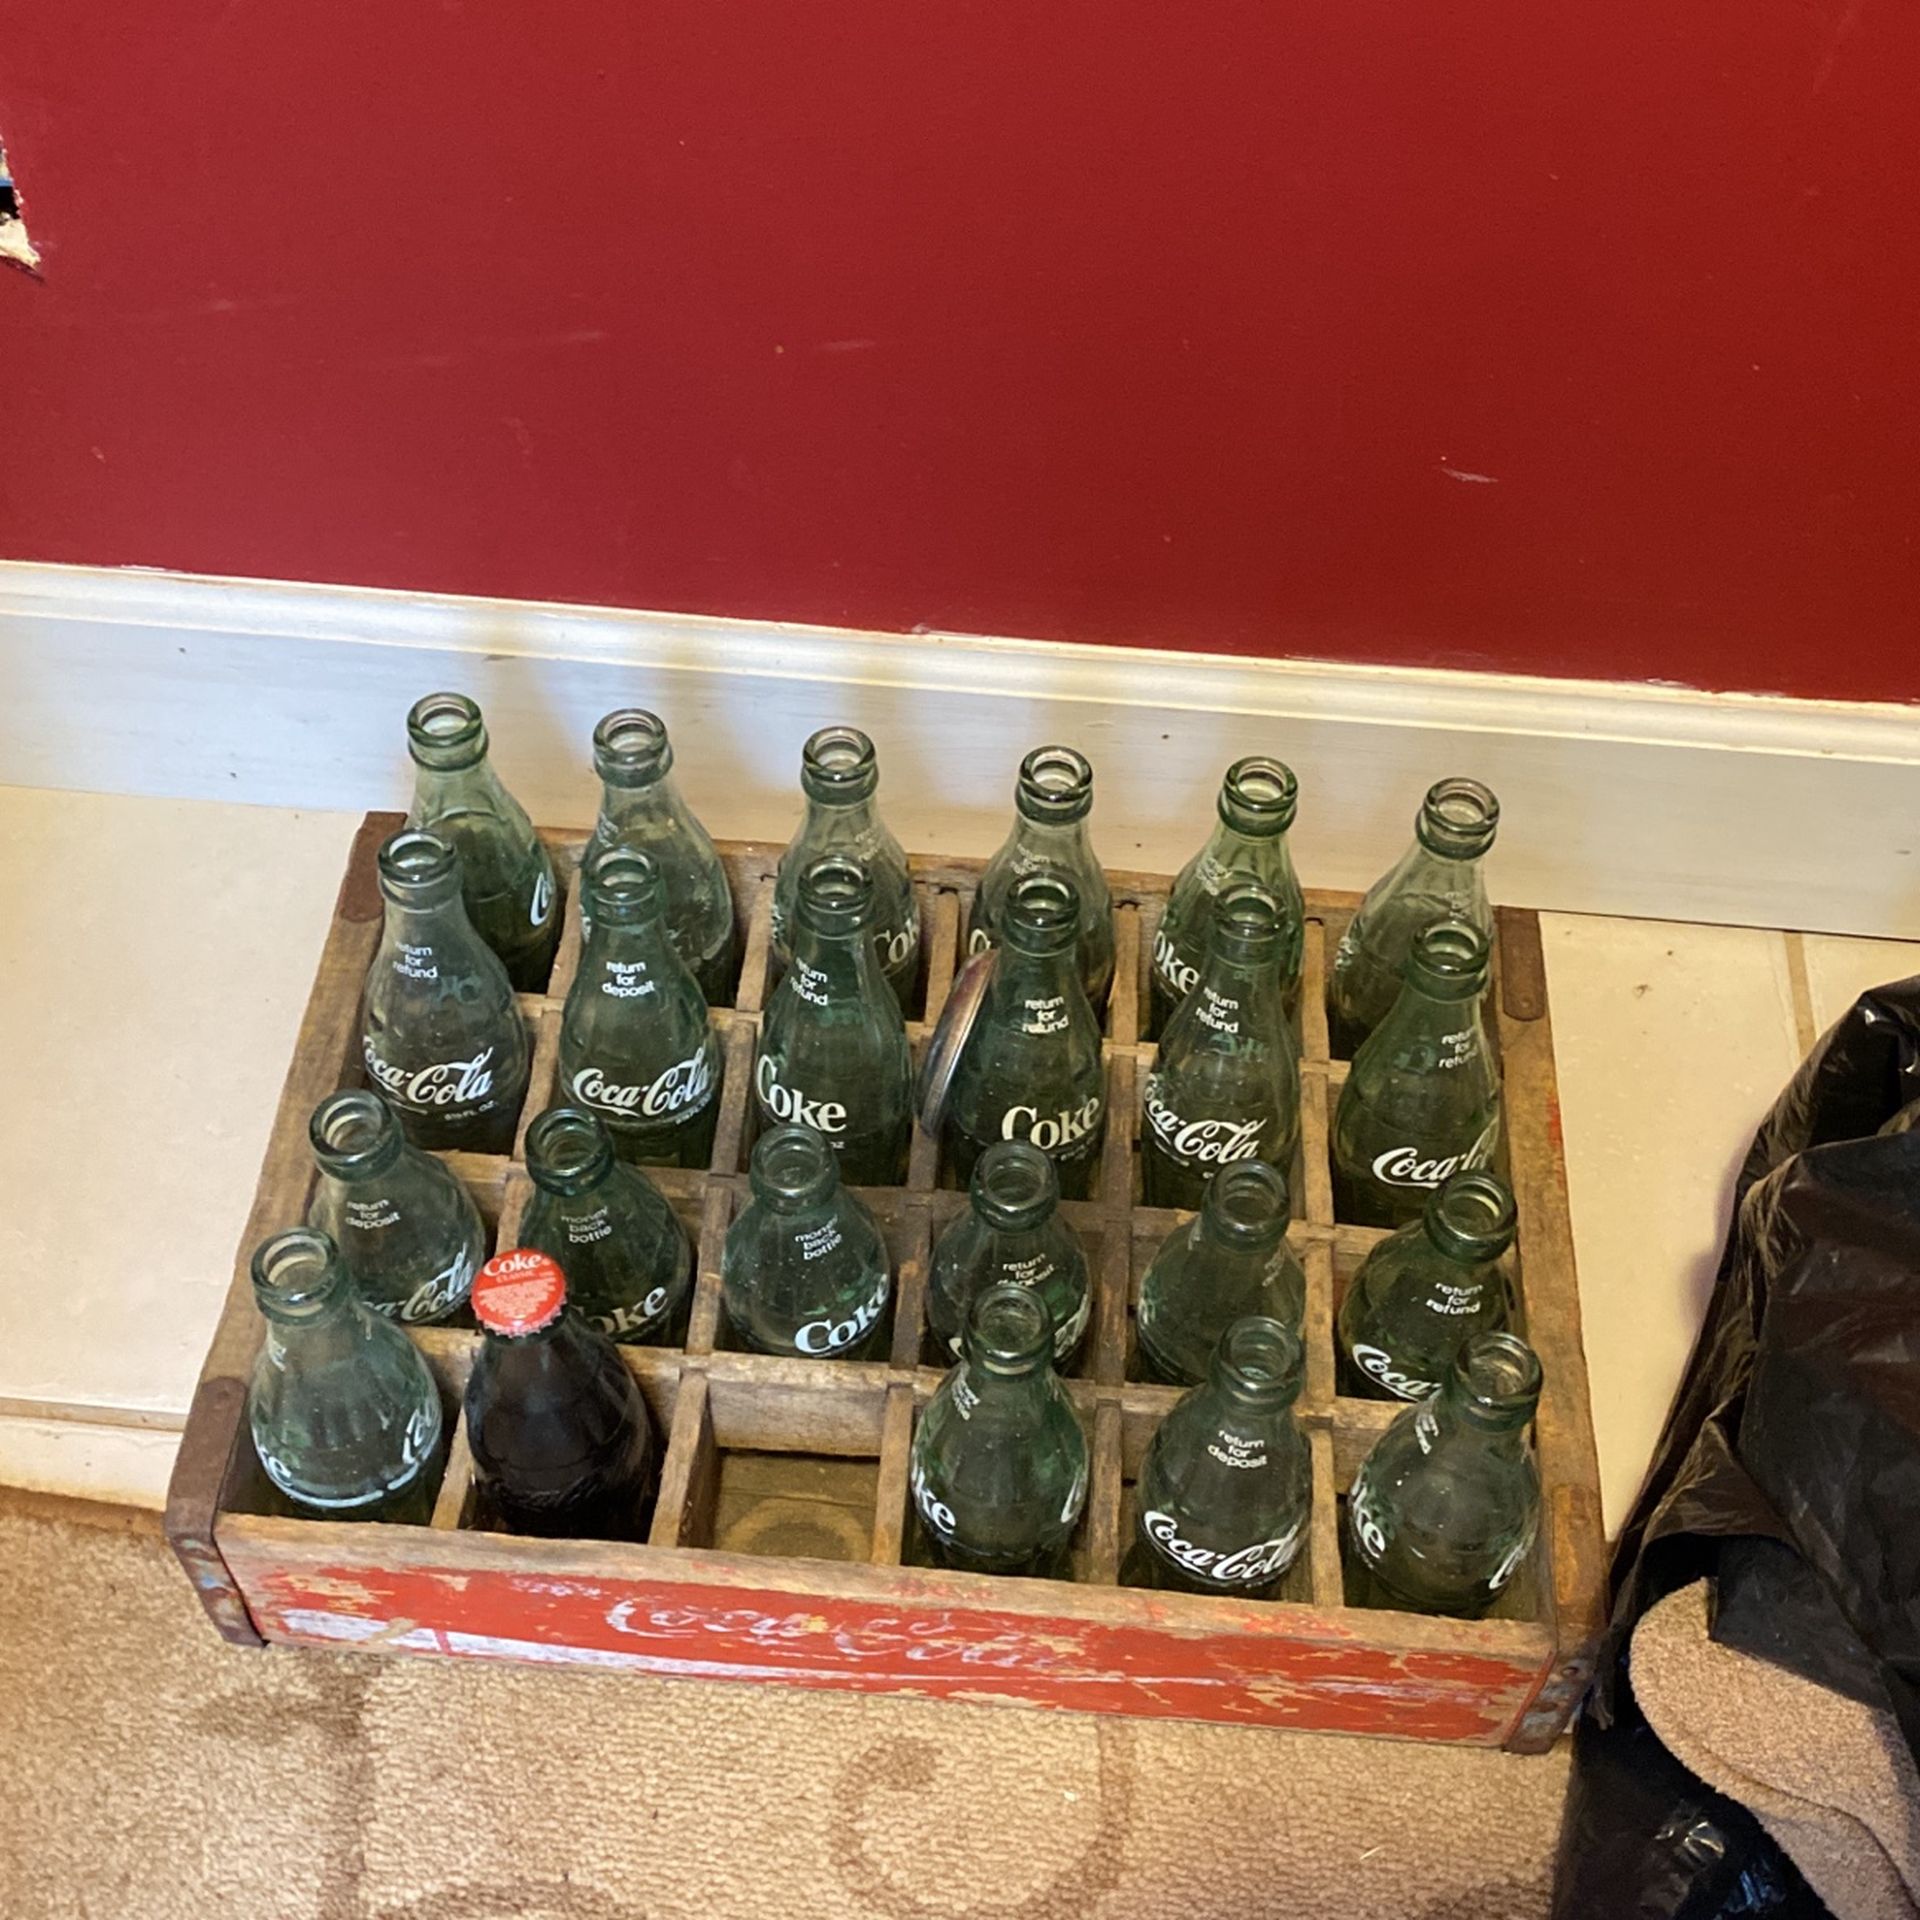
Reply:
x=1449, y=1502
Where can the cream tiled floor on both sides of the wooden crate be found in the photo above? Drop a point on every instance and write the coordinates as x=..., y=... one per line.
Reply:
x=147, y=1047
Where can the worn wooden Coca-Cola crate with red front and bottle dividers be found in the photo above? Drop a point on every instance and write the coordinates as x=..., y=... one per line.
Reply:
x=782, y=1545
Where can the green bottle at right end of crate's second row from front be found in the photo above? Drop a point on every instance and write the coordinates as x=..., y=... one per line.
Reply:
x=1426, y=1289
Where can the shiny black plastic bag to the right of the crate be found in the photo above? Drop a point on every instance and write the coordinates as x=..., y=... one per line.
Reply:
x=1788, y=1470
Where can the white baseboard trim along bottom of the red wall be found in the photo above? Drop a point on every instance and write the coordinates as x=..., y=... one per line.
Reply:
x=1625, y=800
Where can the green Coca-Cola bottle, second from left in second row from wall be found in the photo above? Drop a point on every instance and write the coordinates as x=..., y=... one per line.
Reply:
x=636, y=1045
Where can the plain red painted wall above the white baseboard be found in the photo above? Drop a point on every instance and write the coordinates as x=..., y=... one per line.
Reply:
x=1170, y=324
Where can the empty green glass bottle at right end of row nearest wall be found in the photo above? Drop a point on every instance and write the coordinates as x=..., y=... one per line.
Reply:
x=1437, y=878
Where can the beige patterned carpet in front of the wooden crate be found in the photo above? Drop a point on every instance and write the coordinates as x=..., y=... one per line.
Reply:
x=151, y=1771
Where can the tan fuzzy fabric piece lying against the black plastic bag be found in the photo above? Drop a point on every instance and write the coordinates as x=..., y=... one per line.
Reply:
x=1831, y=1781
